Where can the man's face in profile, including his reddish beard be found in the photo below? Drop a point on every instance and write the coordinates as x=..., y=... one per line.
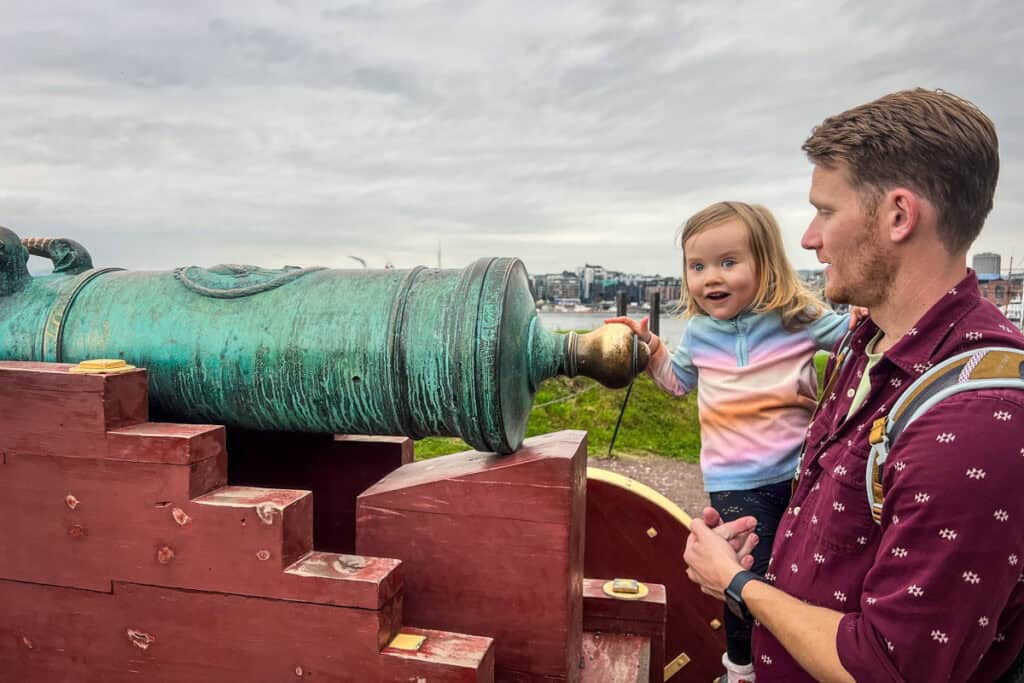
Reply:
x=846, y=237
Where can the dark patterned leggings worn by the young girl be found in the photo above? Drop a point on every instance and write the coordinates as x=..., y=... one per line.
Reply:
x=769, y=505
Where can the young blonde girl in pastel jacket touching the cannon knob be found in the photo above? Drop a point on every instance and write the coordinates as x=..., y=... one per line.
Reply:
x=748, y=350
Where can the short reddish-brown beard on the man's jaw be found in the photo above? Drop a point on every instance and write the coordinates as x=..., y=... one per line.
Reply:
x=869, y=272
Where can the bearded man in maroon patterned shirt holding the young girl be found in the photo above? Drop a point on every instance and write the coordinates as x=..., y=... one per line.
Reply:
x=902, y=187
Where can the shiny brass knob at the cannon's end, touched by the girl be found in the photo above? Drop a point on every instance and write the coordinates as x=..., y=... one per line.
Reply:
x=612, y=355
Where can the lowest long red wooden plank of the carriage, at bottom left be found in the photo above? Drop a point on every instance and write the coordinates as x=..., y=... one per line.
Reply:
x=157, y=634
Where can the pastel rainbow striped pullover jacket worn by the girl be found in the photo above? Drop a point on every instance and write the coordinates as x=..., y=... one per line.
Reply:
x=757, y=389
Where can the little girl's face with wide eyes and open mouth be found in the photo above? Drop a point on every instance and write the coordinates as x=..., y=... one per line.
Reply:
x=721, y=275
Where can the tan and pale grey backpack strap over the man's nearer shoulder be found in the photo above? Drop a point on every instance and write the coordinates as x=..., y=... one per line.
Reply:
x=990, y=368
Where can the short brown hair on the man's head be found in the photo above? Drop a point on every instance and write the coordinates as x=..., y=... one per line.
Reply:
x=931, y=142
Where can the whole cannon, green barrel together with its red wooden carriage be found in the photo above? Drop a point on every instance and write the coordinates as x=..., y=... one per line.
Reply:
x=295, y=538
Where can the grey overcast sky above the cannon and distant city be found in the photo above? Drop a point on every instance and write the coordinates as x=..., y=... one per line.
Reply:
x=563, y=133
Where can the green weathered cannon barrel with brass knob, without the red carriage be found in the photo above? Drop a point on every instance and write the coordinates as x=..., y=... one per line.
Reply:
x=416, y=353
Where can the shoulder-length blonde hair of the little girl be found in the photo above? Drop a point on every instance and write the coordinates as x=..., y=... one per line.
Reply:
x=779, y=286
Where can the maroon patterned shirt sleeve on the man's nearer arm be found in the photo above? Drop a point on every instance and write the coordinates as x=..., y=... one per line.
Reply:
x=951, y=551
